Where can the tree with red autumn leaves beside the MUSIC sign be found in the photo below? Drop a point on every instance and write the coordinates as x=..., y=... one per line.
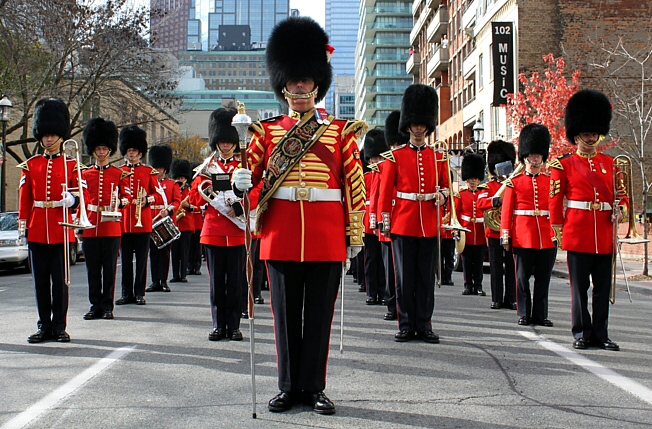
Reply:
x=543, y=100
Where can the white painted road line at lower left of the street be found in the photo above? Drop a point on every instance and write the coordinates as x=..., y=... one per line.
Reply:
x=51, y=400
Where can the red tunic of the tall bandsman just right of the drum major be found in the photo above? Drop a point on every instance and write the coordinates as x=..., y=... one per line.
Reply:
x=411, y=170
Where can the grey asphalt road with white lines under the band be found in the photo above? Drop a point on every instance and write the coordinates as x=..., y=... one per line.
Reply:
x=153, y=367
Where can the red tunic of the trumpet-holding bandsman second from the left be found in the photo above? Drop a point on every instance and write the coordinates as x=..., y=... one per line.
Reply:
x=100, y=182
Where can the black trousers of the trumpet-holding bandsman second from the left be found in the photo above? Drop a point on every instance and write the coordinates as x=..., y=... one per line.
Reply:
x=101, y=254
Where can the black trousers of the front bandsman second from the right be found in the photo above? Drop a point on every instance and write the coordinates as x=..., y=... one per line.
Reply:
x=537, y=262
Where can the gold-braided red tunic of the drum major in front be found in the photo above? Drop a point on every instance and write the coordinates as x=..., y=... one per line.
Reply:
x=311, y=230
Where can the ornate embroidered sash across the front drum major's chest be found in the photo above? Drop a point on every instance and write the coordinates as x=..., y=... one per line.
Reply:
x=286, y=154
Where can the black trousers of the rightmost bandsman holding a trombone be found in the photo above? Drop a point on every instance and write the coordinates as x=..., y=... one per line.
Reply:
x=582, y=269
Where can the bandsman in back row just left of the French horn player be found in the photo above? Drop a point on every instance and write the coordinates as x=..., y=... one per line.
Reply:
x=472, y=217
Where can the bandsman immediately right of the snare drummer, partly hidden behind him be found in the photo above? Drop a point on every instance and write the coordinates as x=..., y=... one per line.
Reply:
x=182, y=174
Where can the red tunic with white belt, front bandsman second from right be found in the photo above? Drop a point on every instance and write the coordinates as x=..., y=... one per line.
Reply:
x=529, y=196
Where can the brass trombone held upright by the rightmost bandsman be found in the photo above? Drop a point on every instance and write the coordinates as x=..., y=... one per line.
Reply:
x=622, y=183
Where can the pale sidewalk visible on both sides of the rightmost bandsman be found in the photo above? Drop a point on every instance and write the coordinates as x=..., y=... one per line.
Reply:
x=633, y=267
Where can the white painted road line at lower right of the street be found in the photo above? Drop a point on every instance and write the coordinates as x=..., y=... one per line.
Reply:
x=601, y=371
